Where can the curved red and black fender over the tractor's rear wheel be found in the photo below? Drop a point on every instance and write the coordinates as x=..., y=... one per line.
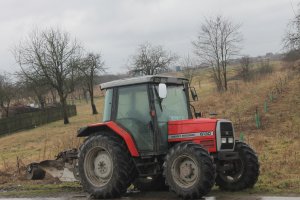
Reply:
x=112, y=127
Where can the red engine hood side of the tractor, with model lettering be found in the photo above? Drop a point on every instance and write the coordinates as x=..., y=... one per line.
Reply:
x=201, y=131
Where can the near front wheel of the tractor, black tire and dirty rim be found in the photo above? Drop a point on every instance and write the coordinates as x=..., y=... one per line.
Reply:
x=195, y=174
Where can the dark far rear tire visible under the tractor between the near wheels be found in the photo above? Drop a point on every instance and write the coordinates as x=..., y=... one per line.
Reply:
x=156, y=183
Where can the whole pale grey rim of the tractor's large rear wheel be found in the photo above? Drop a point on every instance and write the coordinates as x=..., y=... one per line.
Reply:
x=98, y=166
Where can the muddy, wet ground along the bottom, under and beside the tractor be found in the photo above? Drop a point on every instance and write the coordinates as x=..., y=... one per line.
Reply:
x=16, y=186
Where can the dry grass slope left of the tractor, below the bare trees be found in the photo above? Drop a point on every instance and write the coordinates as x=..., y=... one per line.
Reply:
x=46, y=141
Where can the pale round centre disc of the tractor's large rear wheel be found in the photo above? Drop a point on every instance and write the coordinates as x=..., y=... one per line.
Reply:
x=102, y=165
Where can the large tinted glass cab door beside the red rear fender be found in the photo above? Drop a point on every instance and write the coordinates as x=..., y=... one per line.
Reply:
x=133, y=114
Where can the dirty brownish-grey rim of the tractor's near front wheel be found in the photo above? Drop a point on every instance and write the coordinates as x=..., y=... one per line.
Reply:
x=185, y=171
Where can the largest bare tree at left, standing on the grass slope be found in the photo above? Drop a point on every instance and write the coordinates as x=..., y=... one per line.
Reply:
x=51, y=54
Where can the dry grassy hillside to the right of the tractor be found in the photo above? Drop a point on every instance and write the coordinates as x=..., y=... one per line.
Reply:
x=277, y=142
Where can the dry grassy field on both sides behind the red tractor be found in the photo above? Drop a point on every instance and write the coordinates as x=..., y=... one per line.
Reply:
x=277, y=141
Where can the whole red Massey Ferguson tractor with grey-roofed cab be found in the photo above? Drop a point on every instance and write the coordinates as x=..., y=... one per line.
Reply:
x=149, y=138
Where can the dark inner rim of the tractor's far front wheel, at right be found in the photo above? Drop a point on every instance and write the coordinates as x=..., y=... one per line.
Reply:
x=235, y=174
